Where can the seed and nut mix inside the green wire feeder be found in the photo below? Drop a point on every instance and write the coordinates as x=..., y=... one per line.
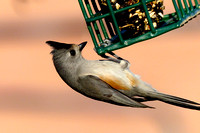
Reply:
x=134, y=20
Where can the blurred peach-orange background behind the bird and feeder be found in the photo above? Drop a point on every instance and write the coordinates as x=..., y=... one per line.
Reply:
x=33, y=98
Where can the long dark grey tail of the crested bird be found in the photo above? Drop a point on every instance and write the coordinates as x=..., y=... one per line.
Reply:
x=177, y=101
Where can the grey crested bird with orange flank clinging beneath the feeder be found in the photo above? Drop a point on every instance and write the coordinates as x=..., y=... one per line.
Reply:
x=108, y=80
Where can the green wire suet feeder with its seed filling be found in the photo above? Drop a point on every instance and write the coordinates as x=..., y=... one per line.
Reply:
x=115, y=24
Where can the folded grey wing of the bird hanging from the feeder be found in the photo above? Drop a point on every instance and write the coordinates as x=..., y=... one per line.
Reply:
x=97, y=89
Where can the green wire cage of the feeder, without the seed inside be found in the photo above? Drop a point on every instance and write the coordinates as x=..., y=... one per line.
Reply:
x=104, y=26
